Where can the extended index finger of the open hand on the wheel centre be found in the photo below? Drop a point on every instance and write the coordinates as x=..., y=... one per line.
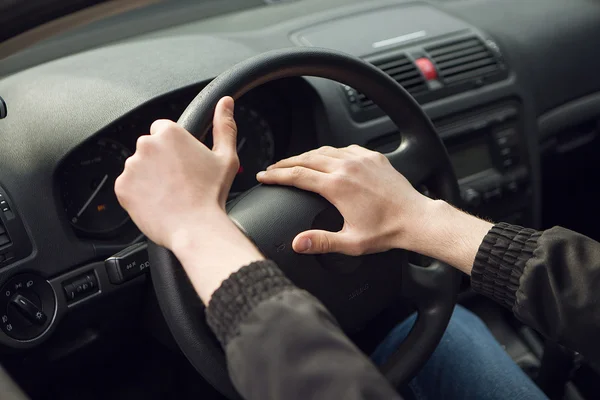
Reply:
x=300, y=177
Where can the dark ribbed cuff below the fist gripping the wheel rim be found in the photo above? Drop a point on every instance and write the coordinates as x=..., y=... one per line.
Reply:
x=240, y=294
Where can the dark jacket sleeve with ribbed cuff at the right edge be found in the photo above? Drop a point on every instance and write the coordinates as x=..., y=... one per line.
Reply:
x=549, y=279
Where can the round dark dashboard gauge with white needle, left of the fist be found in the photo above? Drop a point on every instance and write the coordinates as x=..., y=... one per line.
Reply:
x=87, y=182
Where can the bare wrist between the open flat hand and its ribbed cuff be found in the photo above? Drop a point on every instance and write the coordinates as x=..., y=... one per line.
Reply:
x=448, y=234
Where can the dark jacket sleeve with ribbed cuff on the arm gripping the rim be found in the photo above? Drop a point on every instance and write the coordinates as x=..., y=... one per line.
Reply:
x=281, y=342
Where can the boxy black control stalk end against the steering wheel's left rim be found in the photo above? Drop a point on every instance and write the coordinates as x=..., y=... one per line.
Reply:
x=128, y=263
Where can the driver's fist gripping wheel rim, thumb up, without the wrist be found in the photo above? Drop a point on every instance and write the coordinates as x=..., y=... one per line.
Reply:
x=174, y=182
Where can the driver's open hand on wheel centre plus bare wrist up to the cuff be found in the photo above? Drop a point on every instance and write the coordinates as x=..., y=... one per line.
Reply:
x=381, y=209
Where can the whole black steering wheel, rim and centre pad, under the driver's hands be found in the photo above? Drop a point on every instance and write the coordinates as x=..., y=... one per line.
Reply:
x=355, y=289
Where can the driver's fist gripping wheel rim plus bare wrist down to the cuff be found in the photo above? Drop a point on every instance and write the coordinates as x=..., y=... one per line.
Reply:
x=175, y=188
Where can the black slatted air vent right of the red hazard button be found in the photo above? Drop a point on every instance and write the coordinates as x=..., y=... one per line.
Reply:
x=463, y=59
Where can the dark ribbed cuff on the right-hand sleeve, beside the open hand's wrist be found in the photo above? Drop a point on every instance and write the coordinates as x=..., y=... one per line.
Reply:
x=500, y=262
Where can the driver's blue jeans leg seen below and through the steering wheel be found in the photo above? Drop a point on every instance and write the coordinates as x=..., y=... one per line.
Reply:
x=468, y=364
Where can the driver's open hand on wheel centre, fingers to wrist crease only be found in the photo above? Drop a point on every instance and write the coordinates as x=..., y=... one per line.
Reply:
x=378, y=204
